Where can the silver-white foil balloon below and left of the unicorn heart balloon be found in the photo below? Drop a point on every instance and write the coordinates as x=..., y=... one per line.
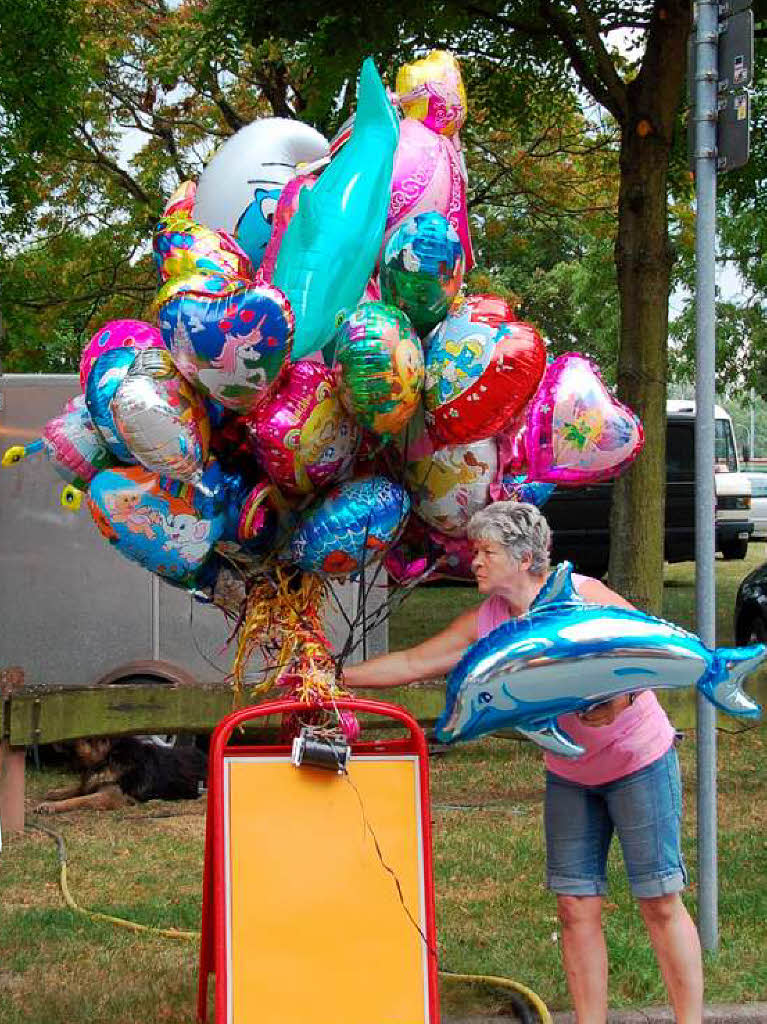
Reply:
x=161, y=419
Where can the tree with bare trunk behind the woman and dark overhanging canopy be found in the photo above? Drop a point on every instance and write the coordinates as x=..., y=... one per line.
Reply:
x=518, y=51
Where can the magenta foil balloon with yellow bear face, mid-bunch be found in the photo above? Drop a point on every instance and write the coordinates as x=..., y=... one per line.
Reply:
x=303, y=436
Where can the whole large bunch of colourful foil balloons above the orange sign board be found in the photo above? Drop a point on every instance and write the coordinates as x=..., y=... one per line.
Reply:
x=316, y=390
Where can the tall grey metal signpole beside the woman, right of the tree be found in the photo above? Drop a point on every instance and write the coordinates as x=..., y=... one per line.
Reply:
x=707, y=35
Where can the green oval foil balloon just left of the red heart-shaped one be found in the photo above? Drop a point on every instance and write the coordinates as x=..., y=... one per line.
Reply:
x=381, y=367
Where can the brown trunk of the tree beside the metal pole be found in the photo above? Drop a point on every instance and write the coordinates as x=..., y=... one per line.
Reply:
x=644, y=261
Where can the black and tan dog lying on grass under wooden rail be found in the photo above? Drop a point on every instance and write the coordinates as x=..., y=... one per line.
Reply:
x=126, y=771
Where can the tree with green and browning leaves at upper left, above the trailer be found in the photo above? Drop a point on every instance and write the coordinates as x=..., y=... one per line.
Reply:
x=77, y=211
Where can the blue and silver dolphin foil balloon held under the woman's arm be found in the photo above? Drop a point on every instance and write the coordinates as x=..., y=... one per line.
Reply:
x=566, y=656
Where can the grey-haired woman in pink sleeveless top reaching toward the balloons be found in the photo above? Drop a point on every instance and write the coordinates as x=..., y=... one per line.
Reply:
x=628, y=780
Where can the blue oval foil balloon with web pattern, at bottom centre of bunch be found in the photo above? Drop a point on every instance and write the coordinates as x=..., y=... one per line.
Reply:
x=351, y=527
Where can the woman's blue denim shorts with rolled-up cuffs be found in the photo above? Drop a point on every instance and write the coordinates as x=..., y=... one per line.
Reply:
x=645, y=808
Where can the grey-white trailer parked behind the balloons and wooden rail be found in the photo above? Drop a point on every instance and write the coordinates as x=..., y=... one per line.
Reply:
x=73, y=611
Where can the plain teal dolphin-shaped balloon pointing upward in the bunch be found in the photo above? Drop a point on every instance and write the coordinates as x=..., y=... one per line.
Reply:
x=332, y=244
